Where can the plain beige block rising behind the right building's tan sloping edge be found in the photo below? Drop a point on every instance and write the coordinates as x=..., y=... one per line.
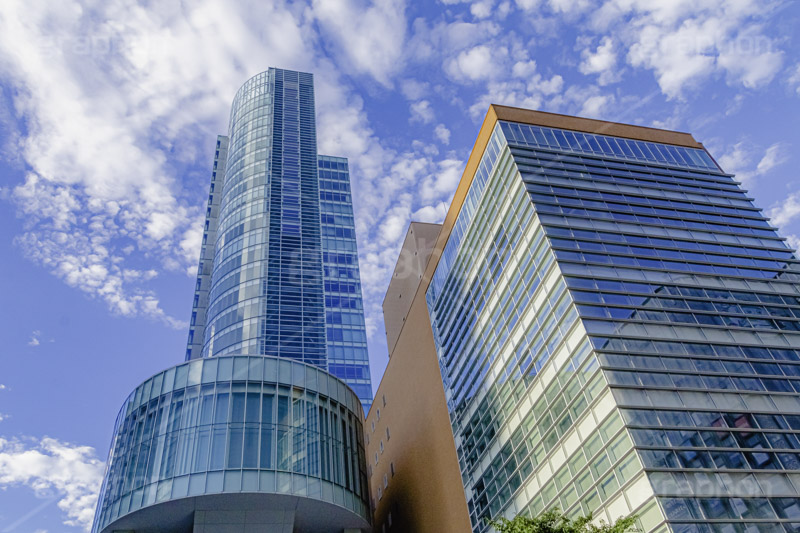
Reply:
x=416, y=250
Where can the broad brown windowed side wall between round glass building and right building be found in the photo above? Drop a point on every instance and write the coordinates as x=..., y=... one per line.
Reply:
x=425, y=494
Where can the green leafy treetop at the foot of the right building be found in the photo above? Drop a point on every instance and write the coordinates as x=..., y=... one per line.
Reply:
x=554, y=521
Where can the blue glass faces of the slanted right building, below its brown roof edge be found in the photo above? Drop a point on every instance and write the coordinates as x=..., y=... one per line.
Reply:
x=617, y=330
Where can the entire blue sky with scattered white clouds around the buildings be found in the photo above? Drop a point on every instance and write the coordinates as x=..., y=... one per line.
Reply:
x=110, y=110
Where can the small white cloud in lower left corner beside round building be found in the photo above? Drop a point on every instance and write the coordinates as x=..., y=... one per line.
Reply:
x=71, y=473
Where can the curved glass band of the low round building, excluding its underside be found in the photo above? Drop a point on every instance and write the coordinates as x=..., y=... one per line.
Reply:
x=236, y=424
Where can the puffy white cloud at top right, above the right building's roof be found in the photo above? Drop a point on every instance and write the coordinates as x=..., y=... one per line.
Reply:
x=685, y=42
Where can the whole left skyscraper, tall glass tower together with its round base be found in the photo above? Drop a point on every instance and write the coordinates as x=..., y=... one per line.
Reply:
x=257, y=428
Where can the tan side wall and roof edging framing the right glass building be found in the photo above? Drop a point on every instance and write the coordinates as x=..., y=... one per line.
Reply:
x=426, y=493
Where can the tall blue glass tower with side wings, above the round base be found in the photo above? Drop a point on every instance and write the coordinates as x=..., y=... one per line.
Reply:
x=279, y=267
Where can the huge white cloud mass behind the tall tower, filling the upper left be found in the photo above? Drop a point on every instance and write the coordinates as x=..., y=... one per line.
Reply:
x=104, y=190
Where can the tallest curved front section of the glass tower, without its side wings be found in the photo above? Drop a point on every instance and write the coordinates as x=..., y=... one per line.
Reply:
x=267, y=293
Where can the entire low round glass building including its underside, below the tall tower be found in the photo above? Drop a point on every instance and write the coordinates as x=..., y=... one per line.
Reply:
x=237, y=443
